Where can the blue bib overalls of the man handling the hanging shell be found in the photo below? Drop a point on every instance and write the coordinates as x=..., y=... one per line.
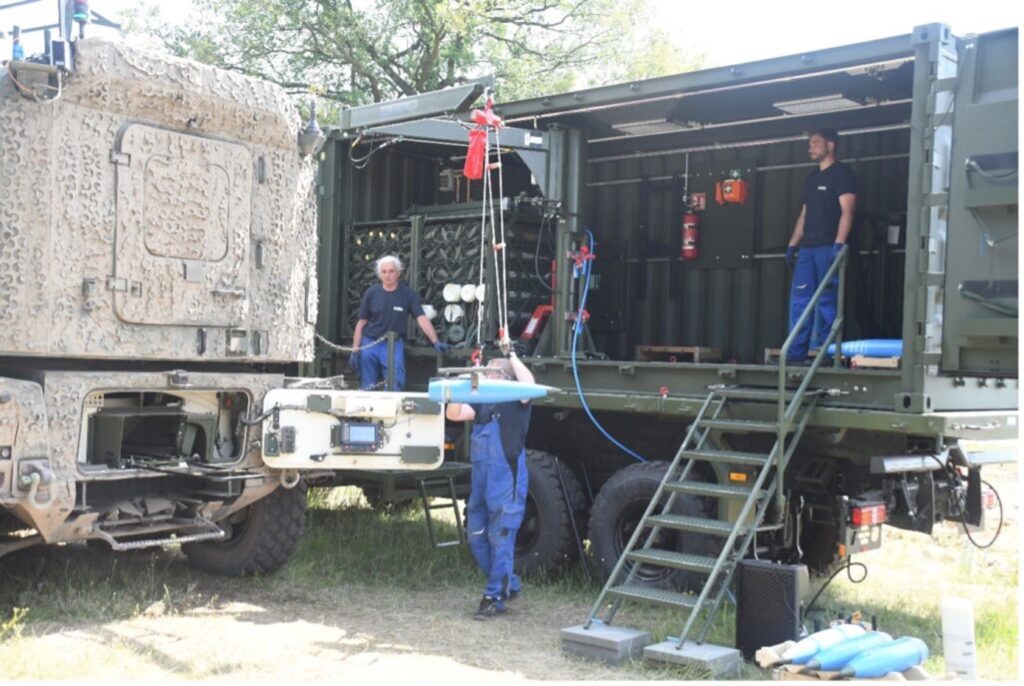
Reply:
x=495, y=511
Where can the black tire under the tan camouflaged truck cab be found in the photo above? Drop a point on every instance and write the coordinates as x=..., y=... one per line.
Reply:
x=261, y=539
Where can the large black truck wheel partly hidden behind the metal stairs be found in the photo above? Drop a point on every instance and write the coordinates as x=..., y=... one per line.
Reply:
x=619, y=508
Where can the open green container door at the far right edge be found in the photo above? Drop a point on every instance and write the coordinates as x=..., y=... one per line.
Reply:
x=980, y=320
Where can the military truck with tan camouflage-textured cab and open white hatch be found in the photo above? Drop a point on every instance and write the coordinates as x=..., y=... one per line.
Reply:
x=158, y=288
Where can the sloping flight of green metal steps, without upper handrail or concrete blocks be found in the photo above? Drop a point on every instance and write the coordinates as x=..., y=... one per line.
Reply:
x=716, y=415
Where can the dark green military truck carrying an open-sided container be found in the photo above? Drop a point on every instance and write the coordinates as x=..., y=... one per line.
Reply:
x=678, y=360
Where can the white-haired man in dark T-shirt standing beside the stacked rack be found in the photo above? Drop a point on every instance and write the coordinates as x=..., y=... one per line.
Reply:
x=387, y=307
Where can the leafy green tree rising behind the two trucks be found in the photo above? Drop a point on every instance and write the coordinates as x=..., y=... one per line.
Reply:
x=373, y=51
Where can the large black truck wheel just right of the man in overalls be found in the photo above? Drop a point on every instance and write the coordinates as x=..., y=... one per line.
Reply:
x=546, y=544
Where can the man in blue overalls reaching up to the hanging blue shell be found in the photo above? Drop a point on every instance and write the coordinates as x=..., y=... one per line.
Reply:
x=498, y=491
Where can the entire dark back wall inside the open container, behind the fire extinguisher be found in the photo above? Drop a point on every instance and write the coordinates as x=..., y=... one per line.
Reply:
x=736, y=296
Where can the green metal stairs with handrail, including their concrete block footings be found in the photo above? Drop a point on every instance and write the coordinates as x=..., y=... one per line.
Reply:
x=794, y=409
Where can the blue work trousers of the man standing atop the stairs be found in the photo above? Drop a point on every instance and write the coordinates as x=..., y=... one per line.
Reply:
x=813, y=264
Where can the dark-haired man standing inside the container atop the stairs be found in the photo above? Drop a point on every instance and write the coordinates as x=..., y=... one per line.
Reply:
x=830, y=199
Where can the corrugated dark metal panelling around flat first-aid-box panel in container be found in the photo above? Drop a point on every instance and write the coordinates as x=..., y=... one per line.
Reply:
x=742, y=311
